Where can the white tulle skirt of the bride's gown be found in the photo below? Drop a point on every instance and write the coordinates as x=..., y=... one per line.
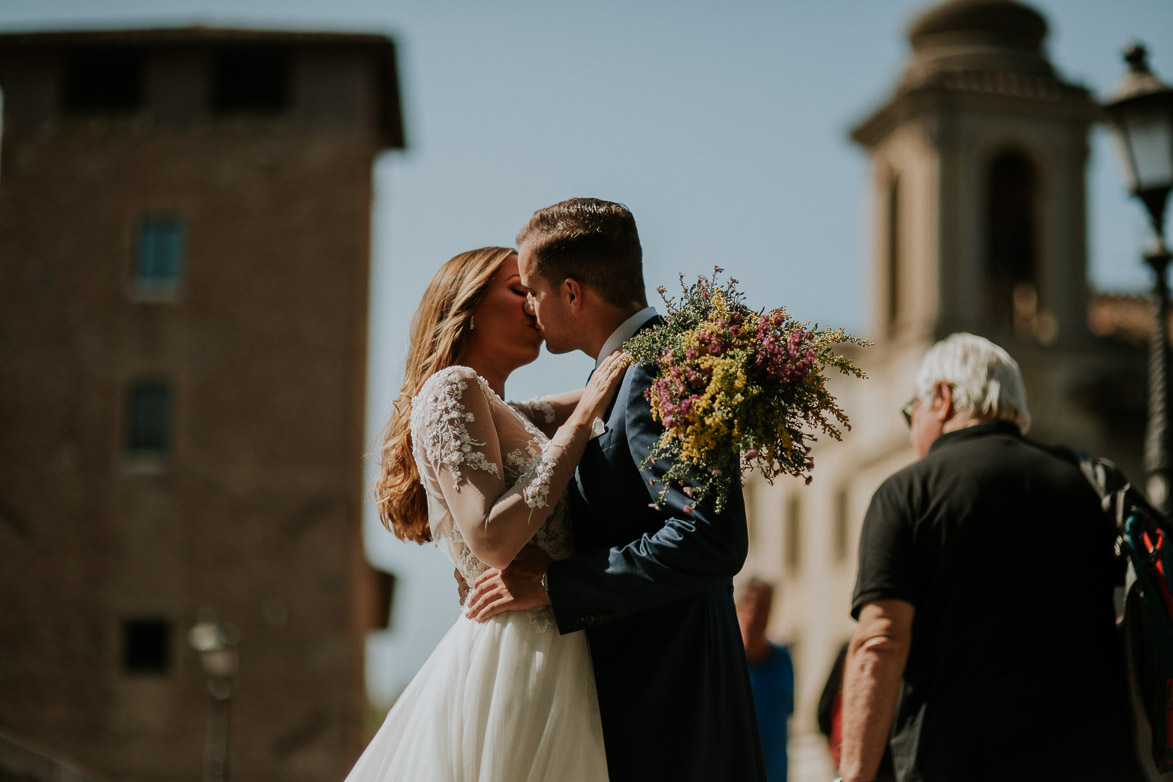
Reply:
x=500, y=702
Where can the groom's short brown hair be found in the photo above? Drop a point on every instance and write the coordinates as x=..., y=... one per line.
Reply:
x=594, y=242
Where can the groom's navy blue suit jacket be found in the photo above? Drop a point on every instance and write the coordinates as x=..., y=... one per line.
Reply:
x=654, y=591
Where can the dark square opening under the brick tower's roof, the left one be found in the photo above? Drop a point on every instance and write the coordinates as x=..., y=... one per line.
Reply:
x=103, y=80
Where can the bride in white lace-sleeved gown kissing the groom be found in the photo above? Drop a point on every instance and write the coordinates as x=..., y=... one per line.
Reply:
x=508, y=701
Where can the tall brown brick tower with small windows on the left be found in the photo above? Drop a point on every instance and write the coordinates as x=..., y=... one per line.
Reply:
x=185, y=253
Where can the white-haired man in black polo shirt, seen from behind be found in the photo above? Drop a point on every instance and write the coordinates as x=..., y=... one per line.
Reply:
x=986, y=644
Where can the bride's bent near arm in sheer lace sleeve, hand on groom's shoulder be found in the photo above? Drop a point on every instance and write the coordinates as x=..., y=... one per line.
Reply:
x=498, y=520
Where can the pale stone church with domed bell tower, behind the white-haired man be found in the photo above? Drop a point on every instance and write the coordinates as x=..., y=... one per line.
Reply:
x=978, y=193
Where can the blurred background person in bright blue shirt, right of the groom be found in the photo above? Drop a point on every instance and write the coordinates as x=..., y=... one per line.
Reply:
x=771, y=675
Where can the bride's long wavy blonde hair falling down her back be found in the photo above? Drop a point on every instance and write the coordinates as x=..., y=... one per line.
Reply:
x=440, y=334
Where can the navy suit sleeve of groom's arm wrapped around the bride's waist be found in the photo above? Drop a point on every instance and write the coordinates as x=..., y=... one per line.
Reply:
x=695, y=550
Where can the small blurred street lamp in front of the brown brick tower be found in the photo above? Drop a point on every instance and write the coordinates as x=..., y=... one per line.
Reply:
x=216, y=643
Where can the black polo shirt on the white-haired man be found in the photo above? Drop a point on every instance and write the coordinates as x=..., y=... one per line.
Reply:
x=1014, y=671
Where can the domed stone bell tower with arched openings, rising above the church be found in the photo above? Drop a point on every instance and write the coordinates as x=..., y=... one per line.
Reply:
x=979, y=164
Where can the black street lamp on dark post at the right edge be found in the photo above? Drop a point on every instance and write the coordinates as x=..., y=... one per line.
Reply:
x=1141, y=117
